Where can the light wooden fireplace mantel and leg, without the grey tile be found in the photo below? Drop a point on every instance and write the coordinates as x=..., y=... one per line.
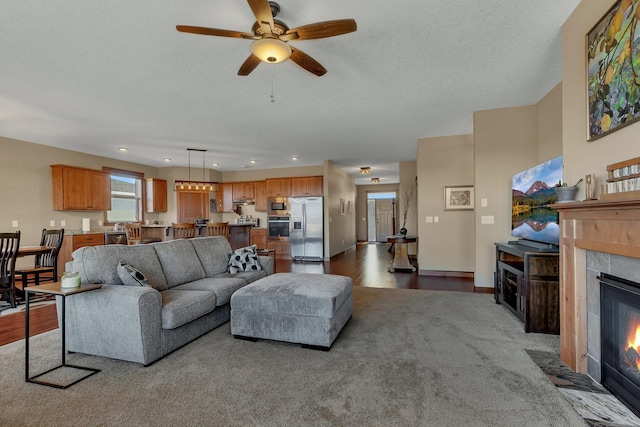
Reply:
x=604, y=226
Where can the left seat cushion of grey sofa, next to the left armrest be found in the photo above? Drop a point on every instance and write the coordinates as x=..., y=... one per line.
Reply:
x=180, y=307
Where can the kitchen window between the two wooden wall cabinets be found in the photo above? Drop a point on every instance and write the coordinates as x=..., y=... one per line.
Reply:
x=126, y=197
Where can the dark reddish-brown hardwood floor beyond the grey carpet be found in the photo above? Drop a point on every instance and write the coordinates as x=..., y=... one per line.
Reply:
x=366, y=265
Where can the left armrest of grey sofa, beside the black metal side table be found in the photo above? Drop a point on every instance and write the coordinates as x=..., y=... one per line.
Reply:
x=117, y=321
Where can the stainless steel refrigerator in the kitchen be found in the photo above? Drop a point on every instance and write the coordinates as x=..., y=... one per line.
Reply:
x=307, y=228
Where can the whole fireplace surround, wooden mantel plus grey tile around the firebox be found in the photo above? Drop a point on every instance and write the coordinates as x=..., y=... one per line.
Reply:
x=596, y=236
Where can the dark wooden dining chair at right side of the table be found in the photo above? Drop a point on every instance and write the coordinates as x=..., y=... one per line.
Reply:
x=45, y=265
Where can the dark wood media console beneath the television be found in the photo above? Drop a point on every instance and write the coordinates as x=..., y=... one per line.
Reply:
x=527, y=283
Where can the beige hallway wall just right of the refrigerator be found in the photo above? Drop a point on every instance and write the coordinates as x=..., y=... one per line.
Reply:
x=339, y=230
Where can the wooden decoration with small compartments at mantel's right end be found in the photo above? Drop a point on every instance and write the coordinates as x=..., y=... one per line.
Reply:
x=623, y=181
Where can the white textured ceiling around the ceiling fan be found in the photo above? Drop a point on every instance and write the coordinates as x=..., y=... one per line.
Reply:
x=93, y=76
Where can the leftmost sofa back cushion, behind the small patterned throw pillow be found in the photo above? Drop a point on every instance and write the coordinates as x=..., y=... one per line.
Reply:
x=99, y=264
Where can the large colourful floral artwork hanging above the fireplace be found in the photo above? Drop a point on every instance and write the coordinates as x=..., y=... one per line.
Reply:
x=613, y=69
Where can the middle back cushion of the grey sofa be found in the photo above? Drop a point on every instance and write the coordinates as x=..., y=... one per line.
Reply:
x=179, y=262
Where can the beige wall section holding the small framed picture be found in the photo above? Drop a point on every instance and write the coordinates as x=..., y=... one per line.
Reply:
x=448, y=244
